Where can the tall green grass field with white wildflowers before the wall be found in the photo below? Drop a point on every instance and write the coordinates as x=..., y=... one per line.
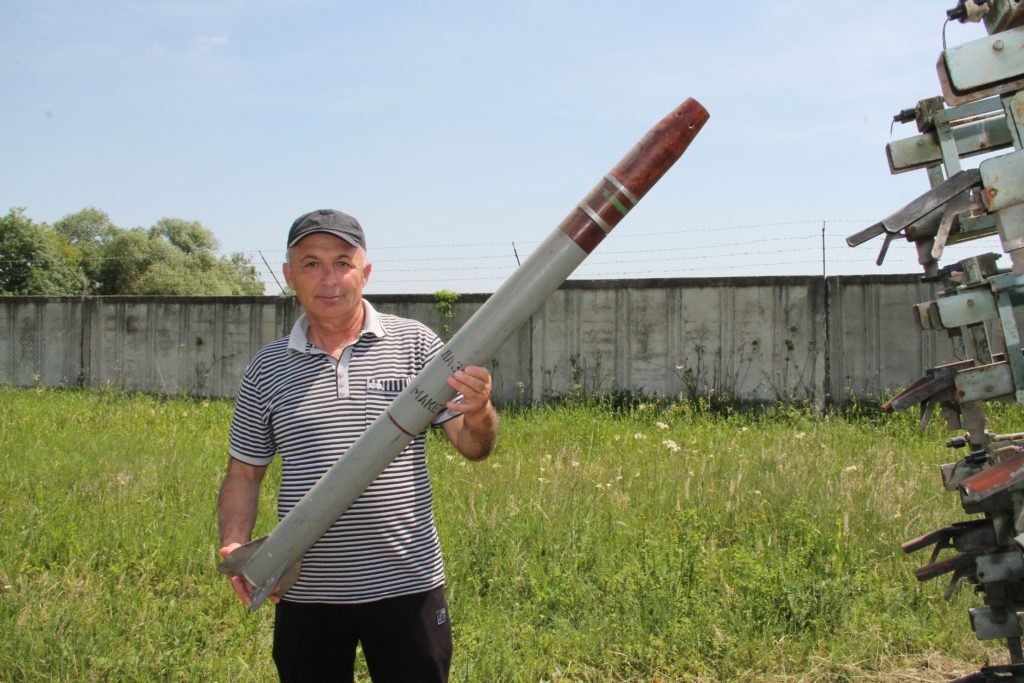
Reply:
x=648, y=543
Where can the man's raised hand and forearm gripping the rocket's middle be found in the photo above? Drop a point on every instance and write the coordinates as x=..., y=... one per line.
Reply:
x=475, y=433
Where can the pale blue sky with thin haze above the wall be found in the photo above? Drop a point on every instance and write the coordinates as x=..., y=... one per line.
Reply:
x=461, y=134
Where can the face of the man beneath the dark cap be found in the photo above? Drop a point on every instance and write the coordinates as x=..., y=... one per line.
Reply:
x=328, y=276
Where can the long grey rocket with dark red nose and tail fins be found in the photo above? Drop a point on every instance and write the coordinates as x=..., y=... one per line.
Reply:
x=274, y=561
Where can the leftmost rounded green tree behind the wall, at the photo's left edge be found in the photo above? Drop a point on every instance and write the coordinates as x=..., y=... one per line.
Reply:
x=36, y=261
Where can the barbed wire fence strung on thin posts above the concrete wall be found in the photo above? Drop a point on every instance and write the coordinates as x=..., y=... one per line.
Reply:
x=795, y=248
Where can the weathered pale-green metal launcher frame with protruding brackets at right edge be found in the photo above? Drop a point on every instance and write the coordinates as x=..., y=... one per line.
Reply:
x=979, y=306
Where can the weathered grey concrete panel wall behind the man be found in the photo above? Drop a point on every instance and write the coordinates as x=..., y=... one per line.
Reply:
x=753, y=338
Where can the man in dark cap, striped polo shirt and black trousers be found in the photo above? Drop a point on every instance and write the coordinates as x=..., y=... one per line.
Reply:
x=376, y=577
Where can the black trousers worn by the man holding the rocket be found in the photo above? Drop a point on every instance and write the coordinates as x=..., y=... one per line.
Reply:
x=405, y=641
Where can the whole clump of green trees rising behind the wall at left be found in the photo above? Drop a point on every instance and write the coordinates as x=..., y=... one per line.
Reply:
x=86, y=253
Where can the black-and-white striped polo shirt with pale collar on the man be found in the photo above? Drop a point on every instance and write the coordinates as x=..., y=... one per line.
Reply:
x=298, y=402
